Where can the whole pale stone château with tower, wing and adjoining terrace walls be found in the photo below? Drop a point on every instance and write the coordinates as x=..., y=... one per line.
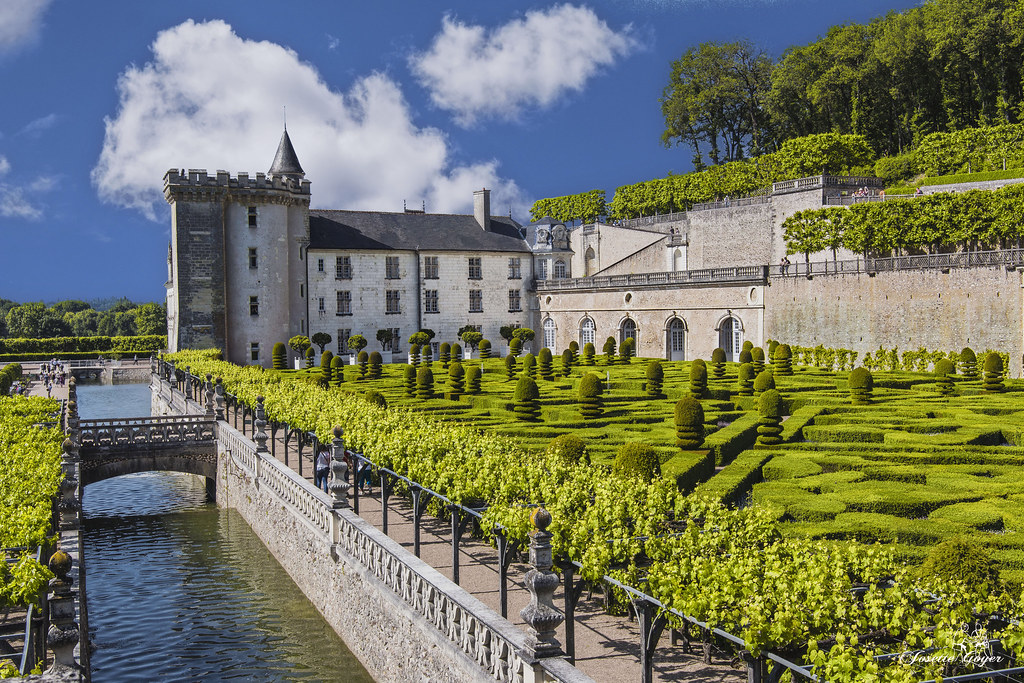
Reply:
x=251, y=265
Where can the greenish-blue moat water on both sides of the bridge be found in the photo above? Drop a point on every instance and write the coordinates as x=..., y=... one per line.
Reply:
x=180, y=590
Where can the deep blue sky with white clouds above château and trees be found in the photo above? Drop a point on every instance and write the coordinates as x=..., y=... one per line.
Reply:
x=388, y=101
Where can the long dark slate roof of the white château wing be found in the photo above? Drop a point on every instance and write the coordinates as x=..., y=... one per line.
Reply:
x=412, y=232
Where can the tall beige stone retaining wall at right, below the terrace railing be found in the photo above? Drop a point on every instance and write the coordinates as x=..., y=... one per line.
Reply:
x=976, y=308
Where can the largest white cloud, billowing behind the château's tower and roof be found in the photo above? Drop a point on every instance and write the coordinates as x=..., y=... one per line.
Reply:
x=212, y=100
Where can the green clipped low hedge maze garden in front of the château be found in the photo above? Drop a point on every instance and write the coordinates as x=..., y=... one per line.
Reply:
x=913, y=467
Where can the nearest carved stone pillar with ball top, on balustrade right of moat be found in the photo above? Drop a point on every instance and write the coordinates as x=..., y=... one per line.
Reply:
x=541, y=616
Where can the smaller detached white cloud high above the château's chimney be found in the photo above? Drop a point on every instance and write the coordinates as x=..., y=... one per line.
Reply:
x=527, y=63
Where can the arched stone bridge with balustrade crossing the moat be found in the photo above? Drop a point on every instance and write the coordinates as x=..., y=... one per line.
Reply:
x=181, y=444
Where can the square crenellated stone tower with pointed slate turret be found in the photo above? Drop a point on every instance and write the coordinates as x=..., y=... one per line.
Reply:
x=237, y=264
